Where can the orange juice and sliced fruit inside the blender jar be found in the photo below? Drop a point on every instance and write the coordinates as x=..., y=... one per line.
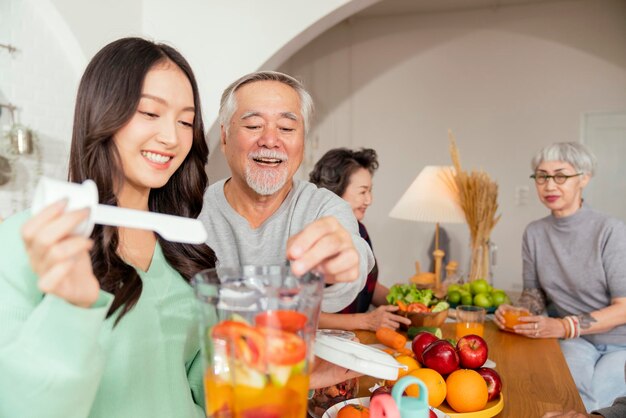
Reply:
x=260, y=371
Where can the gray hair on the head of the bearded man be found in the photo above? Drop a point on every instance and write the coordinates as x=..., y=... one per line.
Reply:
x=228, y=104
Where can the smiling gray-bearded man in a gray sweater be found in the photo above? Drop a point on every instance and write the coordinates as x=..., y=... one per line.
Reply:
x=261, y=215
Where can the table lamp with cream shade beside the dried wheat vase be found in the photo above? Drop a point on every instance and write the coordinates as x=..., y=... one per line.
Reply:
x=432, y=197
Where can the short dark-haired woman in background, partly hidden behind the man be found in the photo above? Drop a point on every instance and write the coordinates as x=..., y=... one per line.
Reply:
x=348, y=174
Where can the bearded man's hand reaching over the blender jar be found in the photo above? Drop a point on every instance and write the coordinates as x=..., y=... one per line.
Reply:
x=327, y=247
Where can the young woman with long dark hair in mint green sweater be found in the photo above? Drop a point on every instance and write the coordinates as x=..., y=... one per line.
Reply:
x=105, y=326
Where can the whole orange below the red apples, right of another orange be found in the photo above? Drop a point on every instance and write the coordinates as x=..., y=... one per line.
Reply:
x=467, y=391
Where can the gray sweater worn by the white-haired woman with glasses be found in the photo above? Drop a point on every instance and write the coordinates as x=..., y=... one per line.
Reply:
x=579, y=261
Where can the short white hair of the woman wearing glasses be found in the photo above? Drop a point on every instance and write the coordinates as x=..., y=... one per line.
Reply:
x=574, y=153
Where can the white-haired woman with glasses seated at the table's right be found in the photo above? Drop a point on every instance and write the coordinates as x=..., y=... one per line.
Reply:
x=575, y=259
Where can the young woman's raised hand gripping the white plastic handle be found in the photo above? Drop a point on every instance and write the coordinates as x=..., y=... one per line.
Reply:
x=59, y=258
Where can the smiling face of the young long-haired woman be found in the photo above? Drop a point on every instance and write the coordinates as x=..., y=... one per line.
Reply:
x=158, y=137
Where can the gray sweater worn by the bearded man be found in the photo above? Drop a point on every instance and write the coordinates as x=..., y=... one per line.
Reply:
x=235, y=242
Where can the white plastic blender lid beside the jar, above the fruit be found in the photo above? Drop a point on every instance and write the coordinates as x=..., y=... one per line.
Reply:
x=358, y=357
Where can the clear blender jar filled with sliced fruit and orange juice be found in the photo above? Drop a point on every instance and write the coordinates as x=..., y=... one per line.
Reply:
x=258, y=326
